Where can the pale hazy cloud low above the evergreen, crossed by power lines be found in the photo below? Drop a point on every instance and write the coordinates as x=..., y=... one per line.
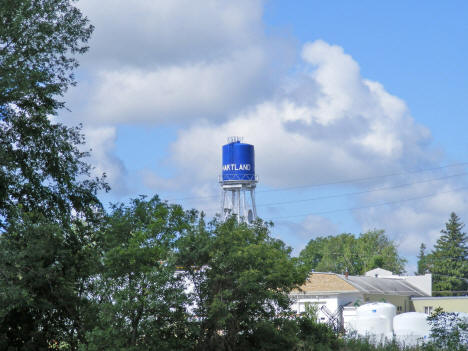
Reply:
x=418, y=221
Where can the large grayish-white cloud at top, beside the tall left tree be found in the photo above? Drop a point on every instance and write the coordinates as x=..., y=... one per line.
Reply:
x=154, y=62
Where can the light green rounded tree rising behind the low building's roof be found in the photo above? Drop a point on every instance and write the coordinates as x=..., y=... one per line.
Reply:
x=357, y=255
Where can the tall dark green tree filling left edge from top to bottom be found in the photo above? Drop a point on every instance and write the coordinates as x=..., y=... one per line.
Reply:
x=49, y=210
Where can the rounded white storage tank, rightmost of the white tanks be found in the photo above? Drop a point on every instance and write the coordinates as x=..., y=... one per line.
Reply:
x=411, y=328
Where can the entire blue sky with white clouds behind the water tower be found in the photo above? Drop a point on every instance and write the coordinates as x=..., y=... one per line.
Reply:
x=357, y=109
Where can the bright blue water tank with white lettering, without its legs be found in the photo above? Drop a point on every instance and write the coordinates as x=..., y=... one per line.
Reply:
x=238, y=162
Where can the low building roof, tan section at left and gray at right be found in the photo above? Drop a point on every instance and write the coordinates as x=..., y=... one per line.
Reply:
x=332, y=283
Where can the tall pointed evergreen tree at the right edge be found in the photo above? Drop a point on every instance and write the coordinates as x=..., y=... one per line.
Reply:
x=449, y=259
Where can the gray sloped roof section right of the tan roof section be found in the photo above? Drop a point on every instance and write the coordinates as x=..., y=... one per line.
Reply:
x=383, y=286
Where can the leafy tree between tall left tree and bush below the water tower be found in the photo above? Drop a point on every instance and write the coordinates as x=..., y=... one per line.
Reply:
x=139, y=296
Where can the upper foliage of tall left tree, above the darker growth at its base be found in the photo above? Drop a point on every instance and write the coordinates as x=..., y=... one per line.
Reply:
x=41, y=166
